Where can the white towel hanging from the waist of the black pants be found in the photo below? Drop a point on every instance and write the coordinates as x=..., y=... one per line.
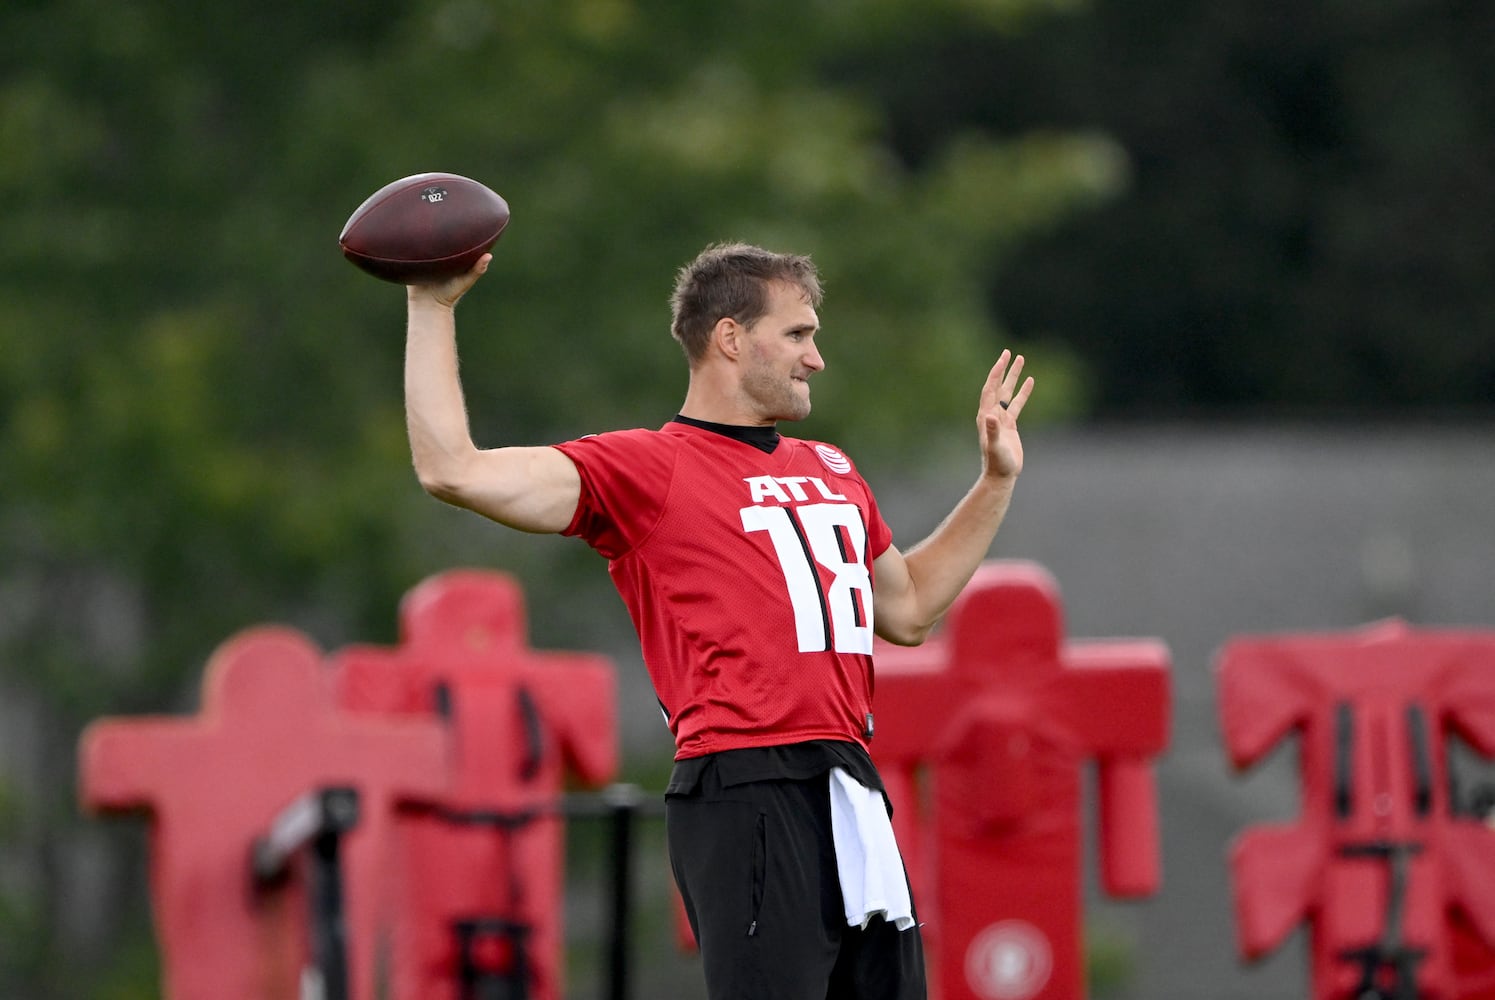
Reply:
x=866, y=856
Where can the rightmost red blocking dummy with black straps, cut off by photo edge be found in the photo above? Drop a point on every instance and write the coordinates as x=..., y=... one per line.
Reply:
x=1397, y=889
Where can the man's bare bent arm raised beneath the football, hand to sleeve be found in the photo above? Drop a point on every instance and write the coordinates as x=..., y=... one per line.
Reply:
x=527, y=488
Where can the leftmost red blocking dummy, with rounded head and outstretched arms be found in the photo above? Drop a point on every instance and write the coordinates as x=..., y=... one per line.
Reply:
x=268, y=733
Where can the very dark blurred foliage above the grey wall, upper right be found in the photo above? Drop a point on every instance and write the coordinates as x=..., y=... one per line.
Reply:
x=1309, y=226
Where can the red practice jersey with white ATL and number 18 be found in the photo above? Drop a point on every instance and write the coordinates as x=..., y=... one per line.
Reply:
x=747, y=575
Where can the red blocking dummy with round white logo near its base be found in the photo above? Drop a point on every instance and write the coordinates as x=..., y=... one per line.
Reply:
x=981, y=735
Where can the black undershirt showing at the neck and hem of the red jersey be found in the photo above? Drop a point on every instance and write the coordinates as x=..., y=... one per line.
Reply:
x=792, y=762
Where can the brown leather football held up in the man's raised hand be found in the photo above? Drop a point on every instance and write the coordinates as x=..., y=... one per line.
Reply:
x=424, y=228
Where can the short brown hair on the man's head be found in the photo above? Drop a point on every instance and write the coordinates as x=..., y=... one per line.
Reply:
x=732, y=280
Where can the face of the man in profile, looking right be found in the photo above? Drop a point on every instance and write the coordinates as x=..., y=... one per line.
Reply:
x=780, y=357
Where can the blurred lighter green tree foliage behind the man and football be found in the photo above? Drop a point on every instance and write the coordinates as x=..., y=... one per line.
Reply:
x=200, y=403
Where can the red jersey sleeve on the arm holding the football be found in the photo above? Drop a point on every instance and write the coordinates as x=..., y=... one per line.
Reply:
x=626, y=478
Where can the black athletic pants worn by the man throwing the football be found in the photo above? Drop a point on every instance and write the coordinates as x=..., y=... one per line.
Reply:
x=757, y=869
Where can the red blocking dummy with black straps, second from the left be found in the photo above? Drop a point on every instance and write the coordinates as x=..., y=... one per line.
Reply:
x=520, y=724
